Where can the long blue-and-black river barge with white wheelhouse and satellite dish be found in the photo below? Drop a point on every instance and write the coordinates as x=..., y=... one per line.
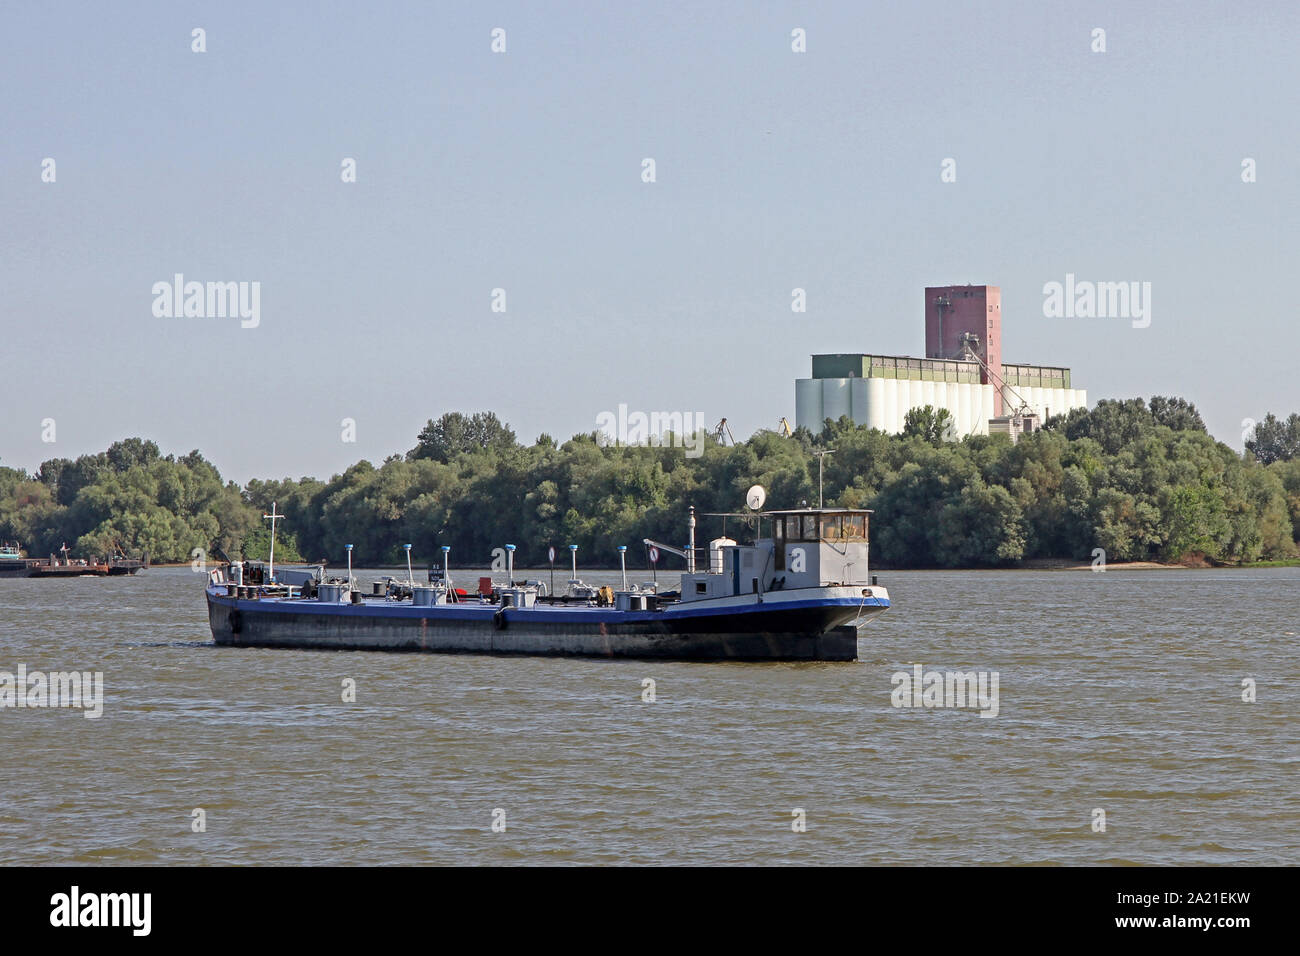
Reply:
x=801, y=594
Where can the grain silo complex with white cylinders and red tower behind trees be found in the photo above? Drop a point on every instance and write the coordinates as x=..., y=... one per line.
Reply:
x=963, y=373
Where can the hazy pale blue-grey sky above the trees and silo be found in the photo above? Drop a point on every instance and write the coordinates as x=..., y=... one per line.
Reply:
x=525, y=171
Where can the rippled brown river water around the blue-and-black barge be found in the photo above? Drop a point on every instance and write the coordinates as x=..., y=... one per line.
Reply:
x=1117, y=693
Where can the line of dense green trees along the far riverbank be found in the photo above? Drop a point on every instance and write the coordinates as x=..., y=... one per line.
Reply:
x=1142, y=482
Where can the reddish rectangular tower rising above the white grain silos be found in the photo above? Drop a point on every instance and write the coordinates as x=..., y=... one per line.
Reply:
x=960, y=315
